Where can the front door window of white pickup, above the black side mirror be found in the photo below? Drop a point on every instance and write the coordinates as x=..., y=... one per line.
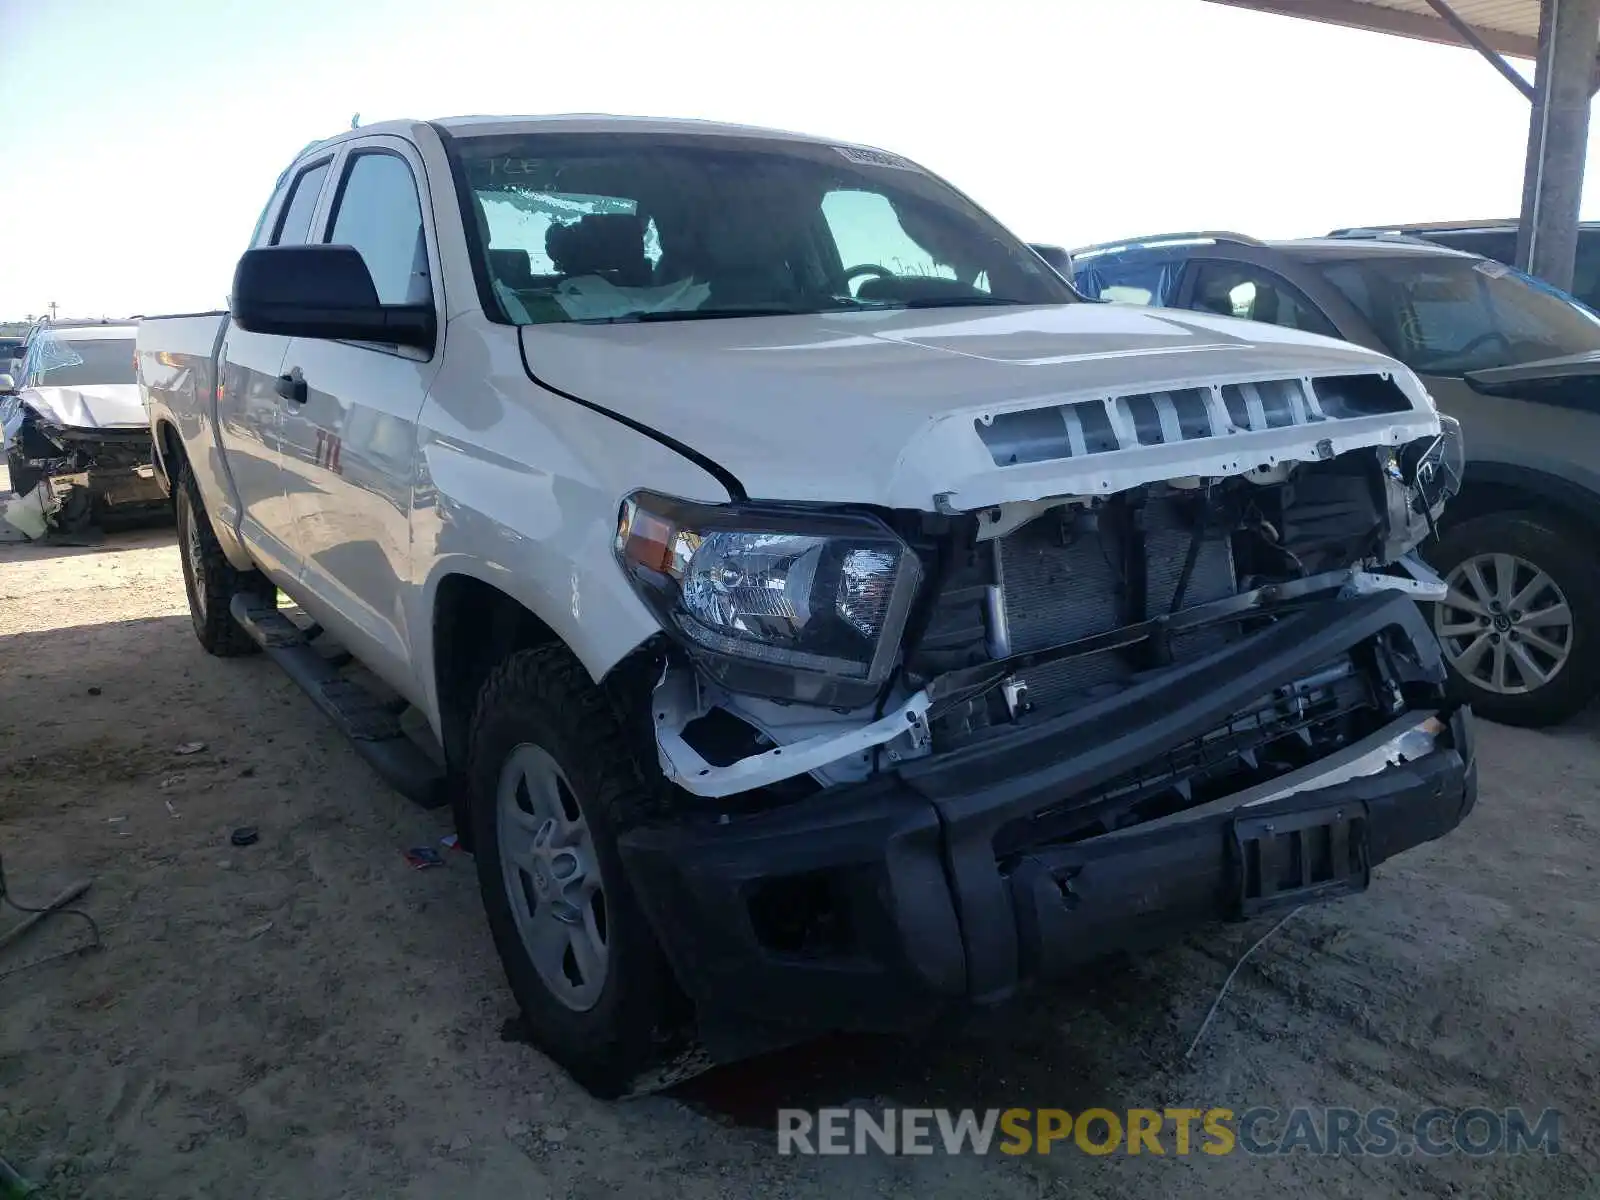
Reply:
x=378, y=214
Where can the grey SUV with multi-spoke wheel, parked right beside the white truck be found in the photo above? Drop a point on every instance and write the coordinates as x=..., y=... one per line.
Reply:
x=1511, y=358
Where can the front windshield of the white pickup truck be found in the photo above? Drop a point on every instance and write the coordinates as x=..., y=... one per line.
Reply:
x=630, y=228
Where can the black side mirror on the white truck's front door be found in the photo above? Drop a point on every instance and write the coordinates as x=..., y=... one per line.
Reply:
x=322, y=292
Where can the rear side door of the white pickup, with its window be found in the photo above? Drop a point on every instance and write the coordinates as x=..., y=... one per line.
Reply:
x=250, y=402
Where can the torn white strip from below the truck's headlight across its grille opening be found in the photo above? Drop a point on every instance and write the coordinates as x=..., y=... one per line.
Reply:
x=681, y=698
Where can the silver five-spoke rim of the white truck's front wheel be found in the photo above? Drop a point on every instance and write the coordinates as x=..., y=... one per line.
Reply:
x=553, y=878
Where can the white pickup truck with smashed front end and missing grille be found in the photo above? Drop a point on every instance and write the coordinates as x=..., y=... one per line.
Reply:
x=820, y=617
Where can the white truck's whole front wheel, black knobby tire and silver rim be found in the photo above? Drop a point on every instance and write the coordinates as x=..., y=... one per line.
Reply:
x=554, y=780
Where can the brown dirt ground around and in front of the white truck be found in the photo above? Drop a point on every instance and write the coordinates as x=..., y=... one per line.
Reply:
x=306, y=1017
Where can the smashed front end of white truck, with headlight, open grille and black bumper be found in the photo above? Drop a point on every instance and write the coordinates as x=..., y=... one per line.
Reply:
x=951, y=751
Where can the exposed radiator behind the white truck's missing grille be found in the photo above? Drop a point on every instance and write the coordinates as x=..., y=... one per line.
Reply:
x=1063, y=583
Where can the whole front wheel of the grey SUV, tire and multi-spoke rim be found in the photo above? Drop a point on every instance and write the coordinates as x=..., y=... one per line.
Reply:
x=1521, y=628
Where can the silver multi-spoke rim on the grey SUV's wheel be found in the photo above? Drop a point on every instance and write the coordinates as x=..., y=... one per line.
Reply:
x=1505, y=625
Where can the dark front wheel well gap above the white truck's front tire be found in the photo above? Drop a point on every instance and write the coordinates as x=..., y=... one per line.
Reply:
x=476, y=628
